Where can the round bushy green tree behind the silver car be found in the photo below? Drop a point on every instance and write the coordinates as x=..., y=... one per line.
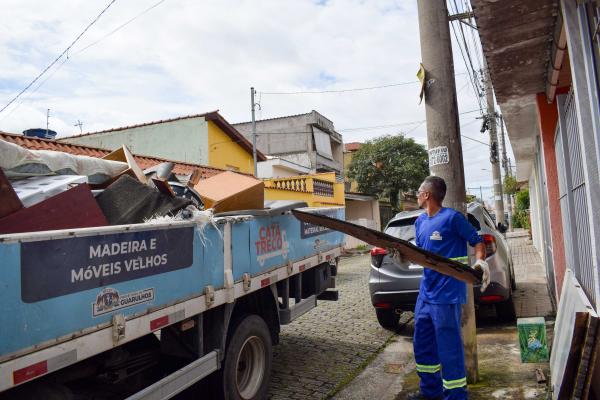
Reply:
x=389, y=164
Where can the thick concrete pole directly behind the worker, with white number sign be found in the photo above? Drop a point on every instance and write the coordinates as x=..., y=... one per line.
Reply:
x=443, y=136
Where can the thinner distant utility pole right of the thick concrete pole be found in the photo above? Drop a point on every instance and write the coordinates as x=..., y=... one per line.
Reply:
x=496, y=175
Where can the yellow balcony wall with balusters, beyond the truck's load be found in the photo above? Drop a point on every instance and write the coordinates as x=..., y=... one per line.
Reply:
x=317, y=190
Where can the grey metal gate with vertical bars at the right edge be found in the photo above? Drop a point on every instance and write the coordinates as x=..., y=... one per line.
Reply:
x=573, y=200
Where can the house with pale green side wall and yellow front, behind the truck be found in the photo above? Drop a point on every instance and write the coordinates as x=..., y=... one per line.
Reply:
x=205, y=139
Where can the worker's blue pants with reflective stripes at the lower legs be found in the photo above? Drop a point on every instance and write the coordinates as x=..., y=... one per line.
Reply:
x=439, y=350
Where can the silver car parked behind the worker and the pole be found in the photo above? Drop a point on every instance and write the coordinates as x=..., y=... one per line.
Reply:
x=395, y=289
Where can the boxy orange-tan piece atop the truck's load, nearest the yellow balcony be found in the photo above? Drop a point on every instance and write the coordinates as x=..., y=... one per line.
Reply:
x=229, y=191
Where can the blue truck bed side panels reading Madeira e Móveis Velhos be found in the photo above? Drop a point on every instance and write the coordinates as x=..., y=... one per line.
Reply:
x=68, y=295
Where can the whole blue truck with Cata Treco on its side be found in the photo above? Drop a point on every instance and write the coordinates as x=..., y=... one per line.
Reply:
x=146, y=311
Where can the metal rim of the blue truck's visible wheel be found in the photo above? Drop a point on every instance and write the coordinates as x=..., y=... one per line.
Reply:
x=250, y=368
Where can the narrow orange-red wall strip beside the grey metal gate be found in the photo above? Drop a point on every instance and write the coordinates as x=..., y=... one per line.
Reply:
x=548, y=118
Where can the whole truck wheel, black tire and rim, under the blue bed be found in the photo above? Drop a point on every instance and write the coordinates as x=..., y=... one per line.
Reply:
x=246, y=370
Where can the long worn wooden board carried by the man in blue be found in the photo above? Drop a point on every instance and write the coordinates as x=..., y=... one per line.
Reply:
x=408, y=251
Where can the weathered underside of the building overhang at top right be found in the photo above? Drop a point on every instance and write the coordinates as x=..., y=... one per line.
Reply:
x=516, y=37
